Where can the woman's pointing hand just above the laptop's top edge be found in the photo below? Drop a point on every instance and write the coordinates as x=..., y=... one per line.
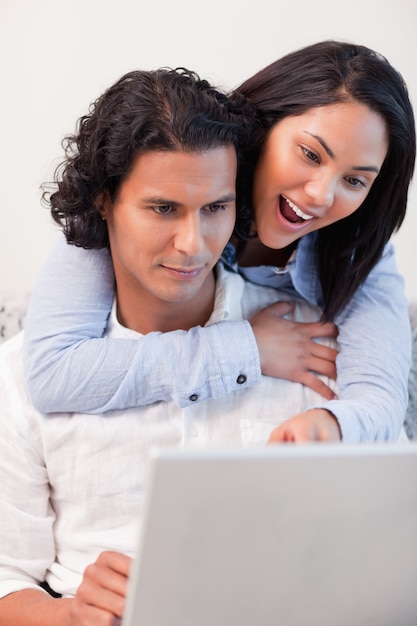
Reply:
x=313, y=425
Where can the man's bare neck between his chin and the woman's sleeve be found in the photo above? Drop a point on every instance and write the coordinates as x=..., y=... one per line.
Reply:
x=147, y=314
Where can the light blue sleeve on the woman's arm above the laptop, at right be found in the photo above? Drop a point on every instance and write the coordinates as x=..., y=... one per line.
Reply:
x=375, y=357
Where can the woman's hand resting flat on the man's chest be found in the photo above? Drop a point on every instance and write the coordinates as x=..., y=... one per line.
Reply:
x=287, y=349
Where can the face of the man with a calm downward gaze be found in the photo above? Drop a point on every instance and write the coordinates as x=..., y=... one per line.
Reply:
x=172, y=218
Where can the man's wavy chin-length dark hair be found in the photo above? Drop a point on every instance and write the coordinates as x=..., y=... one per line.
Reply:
x=143, y=111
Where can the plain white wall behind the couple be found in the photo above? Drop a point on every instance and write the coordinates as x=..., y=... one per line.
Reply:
x=59, y=55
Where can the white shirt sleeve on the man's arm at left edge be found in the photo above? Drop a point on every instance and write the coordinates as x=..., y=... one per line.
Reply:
x=26, y=518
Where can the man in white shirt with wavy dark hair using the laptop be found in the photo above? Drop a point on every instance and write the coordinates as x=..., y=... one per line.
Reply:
x=163, y=194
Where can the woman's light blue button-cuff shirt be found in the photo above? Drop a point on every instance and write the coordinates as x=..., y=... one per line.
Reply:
x=70, y=367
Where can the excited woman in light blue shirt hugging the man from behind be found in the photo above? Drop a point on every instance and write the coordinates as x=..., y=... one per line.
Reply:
x=323, y=234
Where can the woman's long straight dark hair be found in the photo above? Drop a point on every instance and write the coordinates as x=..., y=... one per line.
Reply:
x=327, y=73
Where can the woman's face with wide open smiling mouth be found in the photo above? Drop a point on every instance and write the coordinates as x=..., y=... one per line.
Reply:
x=315, y=169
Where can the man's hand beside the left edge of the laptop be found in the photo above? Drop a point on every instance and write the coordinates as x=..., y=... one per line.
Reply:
x=100, y=599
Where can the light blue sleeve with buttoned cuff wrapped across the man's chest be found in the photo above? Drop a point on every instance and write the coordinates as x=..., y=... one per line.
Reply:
x=69, y=366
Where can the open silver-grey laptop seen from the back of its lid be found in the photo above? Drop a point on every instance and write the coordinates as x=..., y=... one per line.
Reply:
x=287, y=535
